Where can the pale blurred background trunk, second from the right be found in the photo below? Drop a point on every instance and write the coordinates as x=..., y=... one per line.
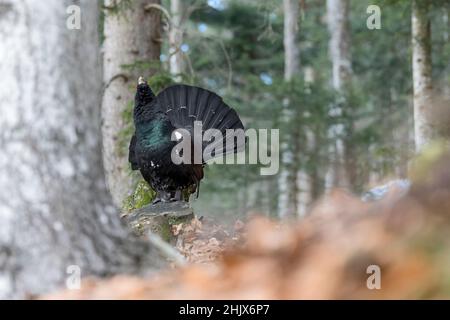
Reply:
x=339, y=47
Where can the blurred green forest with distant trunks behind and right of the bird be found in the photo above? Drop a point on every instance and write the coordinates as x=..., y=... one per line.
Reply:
x=340, y=93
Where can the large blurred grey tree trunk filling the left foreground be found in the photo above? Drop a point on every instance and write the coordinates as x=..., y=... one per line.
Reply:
x=55, y=210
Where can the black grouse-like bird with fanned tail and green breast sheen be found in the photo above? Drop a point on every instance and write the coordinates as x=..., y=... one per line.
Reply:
x=157, y=117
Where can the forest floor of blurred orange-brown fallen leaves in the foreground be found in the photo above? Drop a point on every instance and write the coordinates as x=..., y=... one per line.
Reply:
x=330, y=254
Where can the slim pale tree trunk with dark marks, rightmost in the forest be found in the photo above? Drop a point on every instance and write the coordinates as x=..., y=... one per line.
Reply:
x=421, y=65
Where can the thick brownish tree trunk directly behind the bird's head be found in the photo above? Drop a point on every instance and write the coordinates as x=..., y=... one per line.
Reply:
x=132, y=41
